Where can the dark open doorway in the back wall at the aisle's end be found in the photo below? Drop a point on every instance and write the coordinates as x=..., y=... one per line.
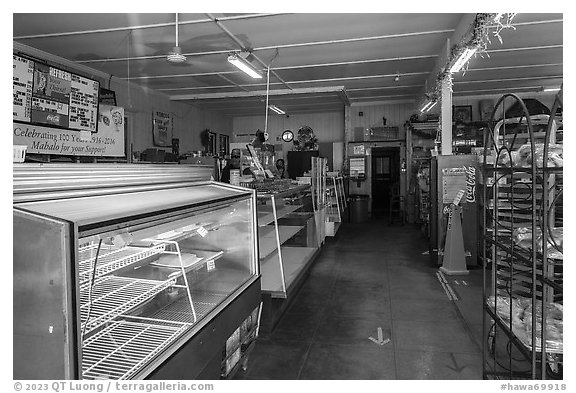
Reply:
x=386, y=177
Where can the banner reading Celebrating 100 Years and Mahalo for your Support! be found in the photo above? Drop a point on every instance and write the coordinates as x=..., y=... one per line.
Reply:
x=108, y=141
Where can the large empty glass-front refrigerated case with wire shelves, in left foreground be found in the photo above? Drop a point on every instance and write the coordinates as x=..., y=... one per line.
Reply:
x=131, y=282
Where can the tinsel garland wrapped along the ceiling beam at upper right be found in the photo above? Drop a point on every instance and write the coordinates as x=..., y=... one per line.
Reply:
x=485, y=26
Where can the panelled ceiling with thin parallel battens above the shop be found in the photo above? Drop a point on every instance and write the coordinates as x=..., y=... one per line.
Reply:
x=317, y=62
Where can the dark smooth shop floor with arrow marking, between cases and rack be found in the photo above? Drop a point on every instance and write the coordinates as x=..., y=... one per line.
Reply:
x=372, y=276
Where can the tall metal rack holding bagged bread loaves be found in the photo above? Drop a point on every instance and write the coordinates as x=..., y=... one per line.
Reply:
x=523, y=281
